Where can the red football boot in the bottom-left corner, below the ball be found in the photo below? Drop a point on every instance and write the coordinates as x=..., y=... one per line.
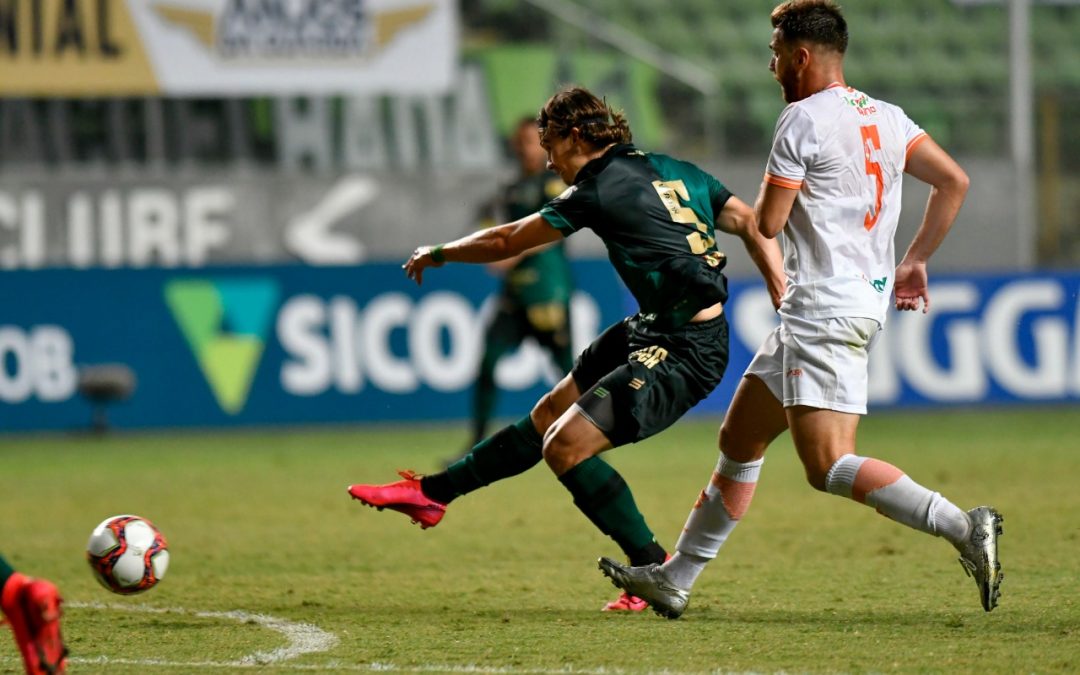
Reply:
x=32, y=607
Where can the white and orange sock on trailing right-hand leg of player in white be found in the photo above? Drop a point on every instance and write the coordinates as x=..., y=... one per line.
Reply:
x=896, y=496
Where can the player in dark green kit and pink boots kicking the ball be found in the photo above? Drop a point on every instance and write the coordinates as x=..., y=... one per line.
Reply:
x=657, y=217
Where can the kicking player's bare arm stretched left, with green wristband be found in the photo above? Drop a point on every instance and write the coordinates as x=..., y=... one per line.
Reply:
x=497, y=244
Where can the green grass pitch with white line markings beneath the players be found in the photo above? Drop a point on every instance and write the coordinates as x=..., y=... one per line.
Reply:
x=260, y=523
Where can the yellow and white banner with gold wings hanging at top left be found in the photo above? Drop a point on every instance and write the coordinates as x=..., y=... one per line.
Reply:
x=224, y=48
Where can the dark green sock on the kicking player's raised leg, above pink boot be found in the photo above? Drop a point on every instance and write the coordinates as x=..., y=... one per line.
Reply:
x=511, y=451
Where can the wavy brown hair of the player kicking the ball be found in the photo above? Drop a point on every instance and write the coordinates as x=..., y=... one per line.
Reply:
x=578, y=107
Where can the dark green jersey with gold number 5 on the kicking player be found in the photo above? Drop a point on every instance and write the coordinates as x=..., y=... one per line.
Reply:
x=655, y=214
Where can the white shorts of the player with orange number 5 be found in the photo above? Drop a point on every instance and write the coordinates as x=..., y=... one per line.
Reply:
x=821, y=363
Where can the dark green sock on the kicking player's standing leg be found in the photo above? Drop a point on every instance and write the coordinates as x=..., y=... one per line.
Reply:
x=605, y=498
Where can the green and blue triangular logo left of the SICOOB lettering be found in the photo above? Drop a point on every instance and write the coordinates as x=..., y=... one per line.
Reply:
x=225, y=322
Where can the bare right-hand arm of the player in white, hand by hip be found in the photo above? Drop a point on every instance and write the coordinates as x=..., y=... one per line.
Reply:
x=930, y=165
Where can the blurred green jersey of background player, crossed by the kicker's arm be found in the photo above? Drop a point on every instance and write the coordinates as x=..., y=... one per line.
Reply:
x=545, y=277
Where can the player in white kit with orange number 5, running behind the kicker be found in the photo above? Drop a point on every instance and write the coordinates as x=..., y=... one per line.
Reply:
x=833, y=186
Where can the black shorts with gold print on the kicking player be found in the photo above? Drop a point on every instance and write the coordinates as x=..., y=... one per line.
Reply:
x=638, y=382
